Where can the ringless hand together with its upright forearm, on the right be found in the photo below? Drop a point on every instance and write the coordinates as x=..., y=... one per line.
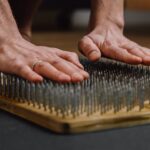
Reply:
x=105, y=35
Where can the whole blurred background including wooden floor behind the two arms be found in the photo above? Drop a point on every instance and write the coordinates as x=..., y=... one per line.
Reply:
x=62, y=23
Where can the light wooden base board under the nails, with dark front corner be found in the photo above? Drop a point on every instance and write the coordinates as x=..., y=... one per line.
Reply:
x=79, y=124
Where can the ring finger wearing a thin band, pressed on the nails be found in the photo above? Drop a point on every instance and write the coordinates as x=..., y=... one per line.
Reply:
x=47, y=70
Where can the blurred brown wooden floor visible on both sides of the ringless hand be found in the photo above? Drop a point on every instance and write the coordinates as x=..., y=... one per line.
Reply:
x=69, y=40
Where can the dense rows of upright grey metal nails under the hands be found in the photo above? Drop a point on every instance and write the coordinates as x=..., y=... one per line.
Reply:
x=112, y=86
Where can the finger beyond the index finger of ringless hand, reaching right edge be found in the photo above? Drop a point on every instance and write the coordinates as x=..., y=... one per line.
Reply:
x=137, y=51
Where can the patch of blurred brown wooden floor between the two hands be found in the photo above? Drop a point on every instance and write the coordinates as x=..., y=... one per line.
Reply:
x=63, y=40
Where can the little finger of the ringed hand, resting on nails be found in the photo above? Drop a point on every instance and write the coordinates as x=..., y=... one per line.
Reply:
x=27, y=73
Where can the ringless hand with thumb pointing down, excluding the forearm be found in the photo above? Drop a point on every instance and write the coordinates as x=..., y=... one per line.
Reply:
x=110, y=42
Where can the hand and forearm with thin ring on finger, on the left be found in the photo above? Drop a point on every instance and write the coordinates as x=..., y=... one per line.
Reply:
x=17, y=55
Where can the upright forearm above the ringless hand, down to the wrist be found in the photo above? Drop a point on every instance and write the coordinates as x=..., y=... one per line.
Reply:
x=107, y=10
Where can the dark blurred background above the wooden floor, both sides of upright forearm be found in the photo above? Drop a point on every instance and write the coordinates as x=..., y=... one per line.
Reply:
x=67, y=14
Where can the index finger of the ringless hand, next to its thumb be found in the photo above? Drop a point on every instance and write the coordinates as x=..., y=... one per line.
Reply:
x=121, y=54
